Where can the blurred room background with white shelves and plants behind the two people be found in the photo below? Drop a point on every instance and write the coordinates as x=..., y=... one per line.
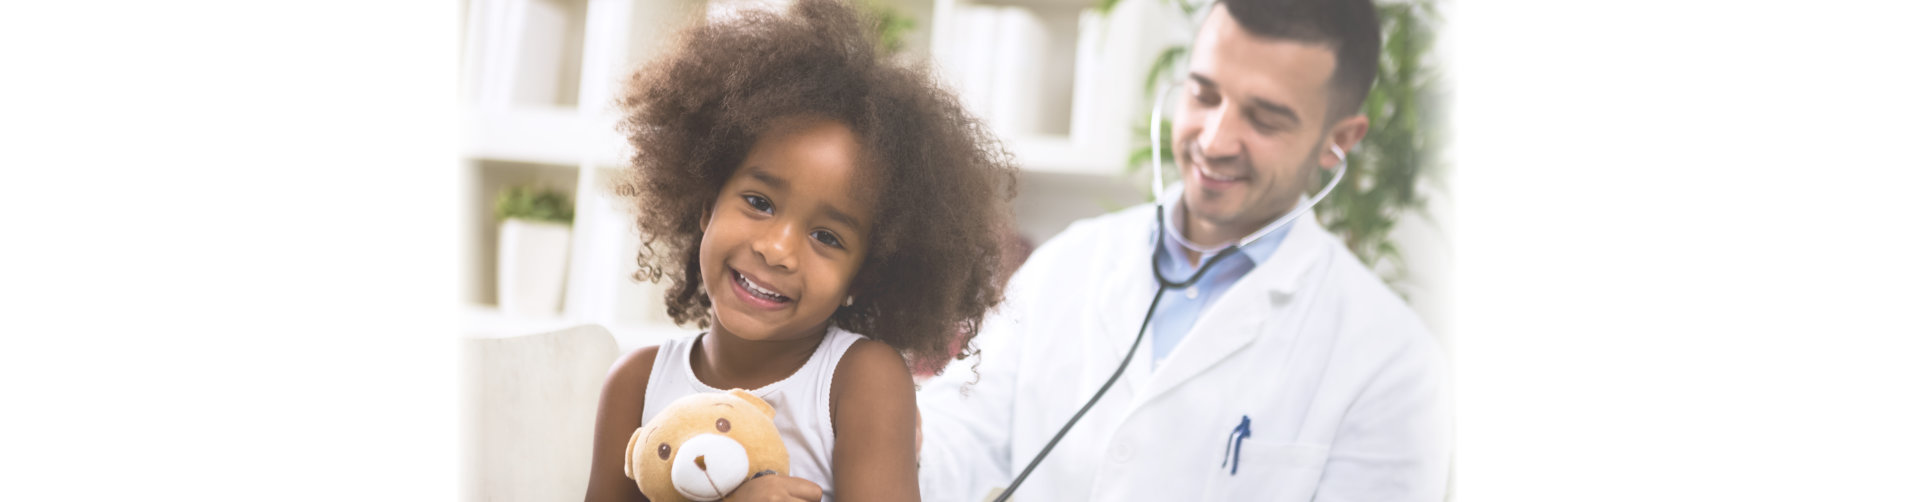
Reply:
x=1065, y=84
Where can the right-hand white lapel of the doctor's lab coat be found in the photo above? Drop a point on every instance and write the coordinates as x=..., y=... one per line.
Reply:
x=1245, y=311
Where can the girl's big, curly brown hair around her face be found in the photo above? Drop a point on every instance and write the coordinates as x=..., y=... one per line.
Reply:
x=942, y=182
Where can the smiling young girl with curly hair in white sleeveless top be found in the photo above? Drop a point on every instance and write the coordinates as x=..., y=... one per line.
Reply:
x=827, y=216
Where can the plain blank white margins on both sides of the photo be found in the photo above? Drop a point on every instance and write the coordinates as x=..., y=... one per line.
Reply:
x=1687, y=251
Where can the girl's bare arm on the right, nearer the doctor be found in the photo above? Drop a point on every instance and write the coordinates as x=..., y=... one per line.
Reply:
x=875, y=413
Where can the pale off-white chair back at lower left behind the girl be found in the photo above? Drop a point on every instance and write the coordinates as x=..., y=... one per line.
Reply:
x=529, y=413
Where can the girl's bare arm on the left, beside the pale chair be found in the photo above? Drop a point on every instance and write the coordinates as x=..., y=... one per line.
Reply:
x=621, y=403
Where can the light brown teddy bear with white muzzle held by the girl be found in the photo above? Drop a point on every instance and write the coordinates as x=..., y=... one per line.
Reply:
x=704, y=447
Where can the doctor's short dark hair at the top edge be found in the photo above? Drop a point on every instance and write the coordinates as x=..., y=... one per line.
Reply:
x=1351, y=28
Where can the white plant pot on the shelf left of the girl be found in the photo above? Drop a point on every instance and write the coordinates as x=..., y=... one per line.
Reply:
x=533, y=266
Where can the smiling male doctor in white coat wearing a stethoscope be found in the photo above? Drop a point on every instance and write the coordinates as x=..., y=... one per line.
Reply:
x=1289, y=372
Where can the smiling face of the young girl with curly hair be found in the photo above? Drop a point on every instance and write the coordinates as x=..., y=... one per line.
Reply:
x=788, y=234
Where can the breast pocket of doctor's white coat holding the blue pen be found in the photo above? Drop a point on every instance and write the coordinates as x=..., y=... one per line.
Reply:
x=1270, y=470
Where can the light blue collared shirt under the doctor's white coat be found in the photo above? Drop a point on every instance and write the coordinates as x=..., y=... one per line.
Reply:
x=1180, y=309
